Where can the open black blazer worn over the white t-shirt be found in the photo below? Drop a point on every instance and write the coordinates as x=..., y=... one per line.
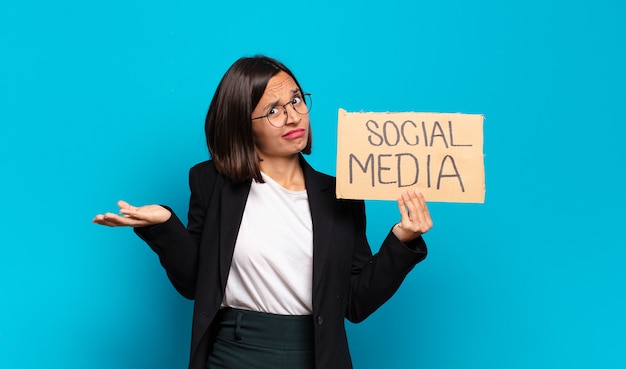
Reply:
x=348, y=281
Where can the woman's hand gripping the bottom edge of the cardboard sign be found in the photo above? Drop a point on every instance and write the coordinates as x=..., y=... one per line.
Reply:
x=415, y=216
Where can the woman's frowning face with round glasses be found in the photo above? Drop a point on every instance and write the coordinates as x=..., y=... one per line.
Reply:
x=289, y=139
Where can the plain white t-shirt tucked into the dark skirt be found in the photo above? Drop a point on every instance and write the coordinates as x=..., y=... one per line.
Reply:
x=272, y=266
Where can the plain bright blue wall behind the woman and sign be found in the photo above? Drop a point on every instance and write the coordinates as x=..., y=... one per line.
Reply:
x=106, y=100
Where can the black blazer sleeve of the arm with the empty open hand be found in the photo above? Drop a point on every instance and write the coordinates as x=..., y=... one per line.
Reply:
x=177, y=246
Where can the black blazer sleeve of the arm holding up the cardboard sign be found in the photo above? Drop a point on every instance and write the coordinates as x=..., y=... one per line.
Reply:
x=376, y=277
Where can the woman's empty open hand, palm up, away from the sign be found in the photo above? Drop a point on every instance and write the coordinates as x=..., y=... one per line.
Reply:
x=132, y=216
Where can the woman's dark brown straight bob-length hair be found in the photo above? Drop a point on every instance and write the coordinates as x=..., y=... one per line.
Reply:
x=228, y=125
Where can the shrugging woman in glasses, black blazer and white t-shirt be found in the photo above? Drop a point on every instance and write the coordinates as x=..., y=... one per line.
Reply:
x=274, y=261
